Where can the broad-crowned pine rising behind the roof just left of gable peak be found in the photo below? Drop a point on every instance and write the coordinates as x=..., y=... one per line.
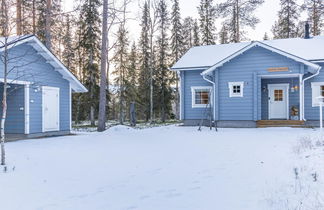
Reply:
x=238, y=14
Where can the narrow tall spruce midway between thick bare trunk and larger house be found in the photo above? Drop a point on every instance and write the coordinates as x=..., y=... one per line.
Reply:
x=144, y=62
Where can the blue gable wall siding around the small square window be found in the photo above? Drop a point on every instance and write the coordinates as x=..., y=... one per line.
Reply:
x=242, y=68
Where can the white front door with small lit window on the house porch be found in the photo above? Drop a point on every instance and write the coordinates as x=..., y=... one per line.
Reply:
x=278, y=101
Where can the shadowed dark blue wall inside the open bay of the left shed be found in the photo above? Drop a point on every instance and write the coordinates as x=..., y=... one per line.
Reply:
x=15, y=122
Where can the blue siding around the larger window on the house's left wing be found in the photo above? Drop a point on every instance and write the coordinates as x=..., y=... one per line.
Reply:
x=192, y=78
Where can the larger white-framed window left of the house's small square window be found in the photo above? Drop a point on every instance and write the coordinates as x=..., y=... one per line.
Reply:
x=201, y=96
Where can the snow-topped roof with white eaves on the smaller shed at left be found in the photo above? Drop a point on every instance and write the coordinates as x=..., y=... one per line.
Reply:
x=47, y=54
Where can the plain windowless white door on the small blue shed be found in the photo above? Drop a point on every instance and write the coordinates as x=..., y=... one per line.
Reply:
x=51, y=105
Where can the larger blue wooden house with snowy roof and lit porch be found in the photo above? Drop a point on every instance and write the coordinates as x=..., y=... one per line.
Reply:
x=253, y=83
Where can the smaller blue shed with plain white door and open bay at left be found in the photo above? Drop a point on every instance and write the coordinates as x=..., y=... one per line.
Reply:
x=40, y=88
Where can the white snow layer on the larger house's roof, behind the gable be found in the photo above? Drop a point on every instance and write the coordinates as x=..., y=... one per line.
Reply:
x=206, y=56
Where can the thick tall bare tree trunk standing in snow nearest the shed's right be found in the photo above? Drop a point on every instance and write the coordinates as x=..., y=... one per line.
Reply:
x=103, y=79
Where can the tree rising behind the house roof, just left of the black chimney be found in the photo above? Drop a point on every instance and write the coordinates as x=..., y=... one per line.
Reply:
x=286, y=25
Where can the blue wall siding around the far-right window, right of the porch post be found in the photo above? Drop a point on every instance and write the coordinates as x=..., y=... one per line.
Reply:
x=312, y=113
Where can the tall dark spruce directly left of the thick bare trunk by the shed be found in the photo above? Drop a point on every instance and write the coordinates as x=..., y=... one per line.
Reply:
x=90, y=46
